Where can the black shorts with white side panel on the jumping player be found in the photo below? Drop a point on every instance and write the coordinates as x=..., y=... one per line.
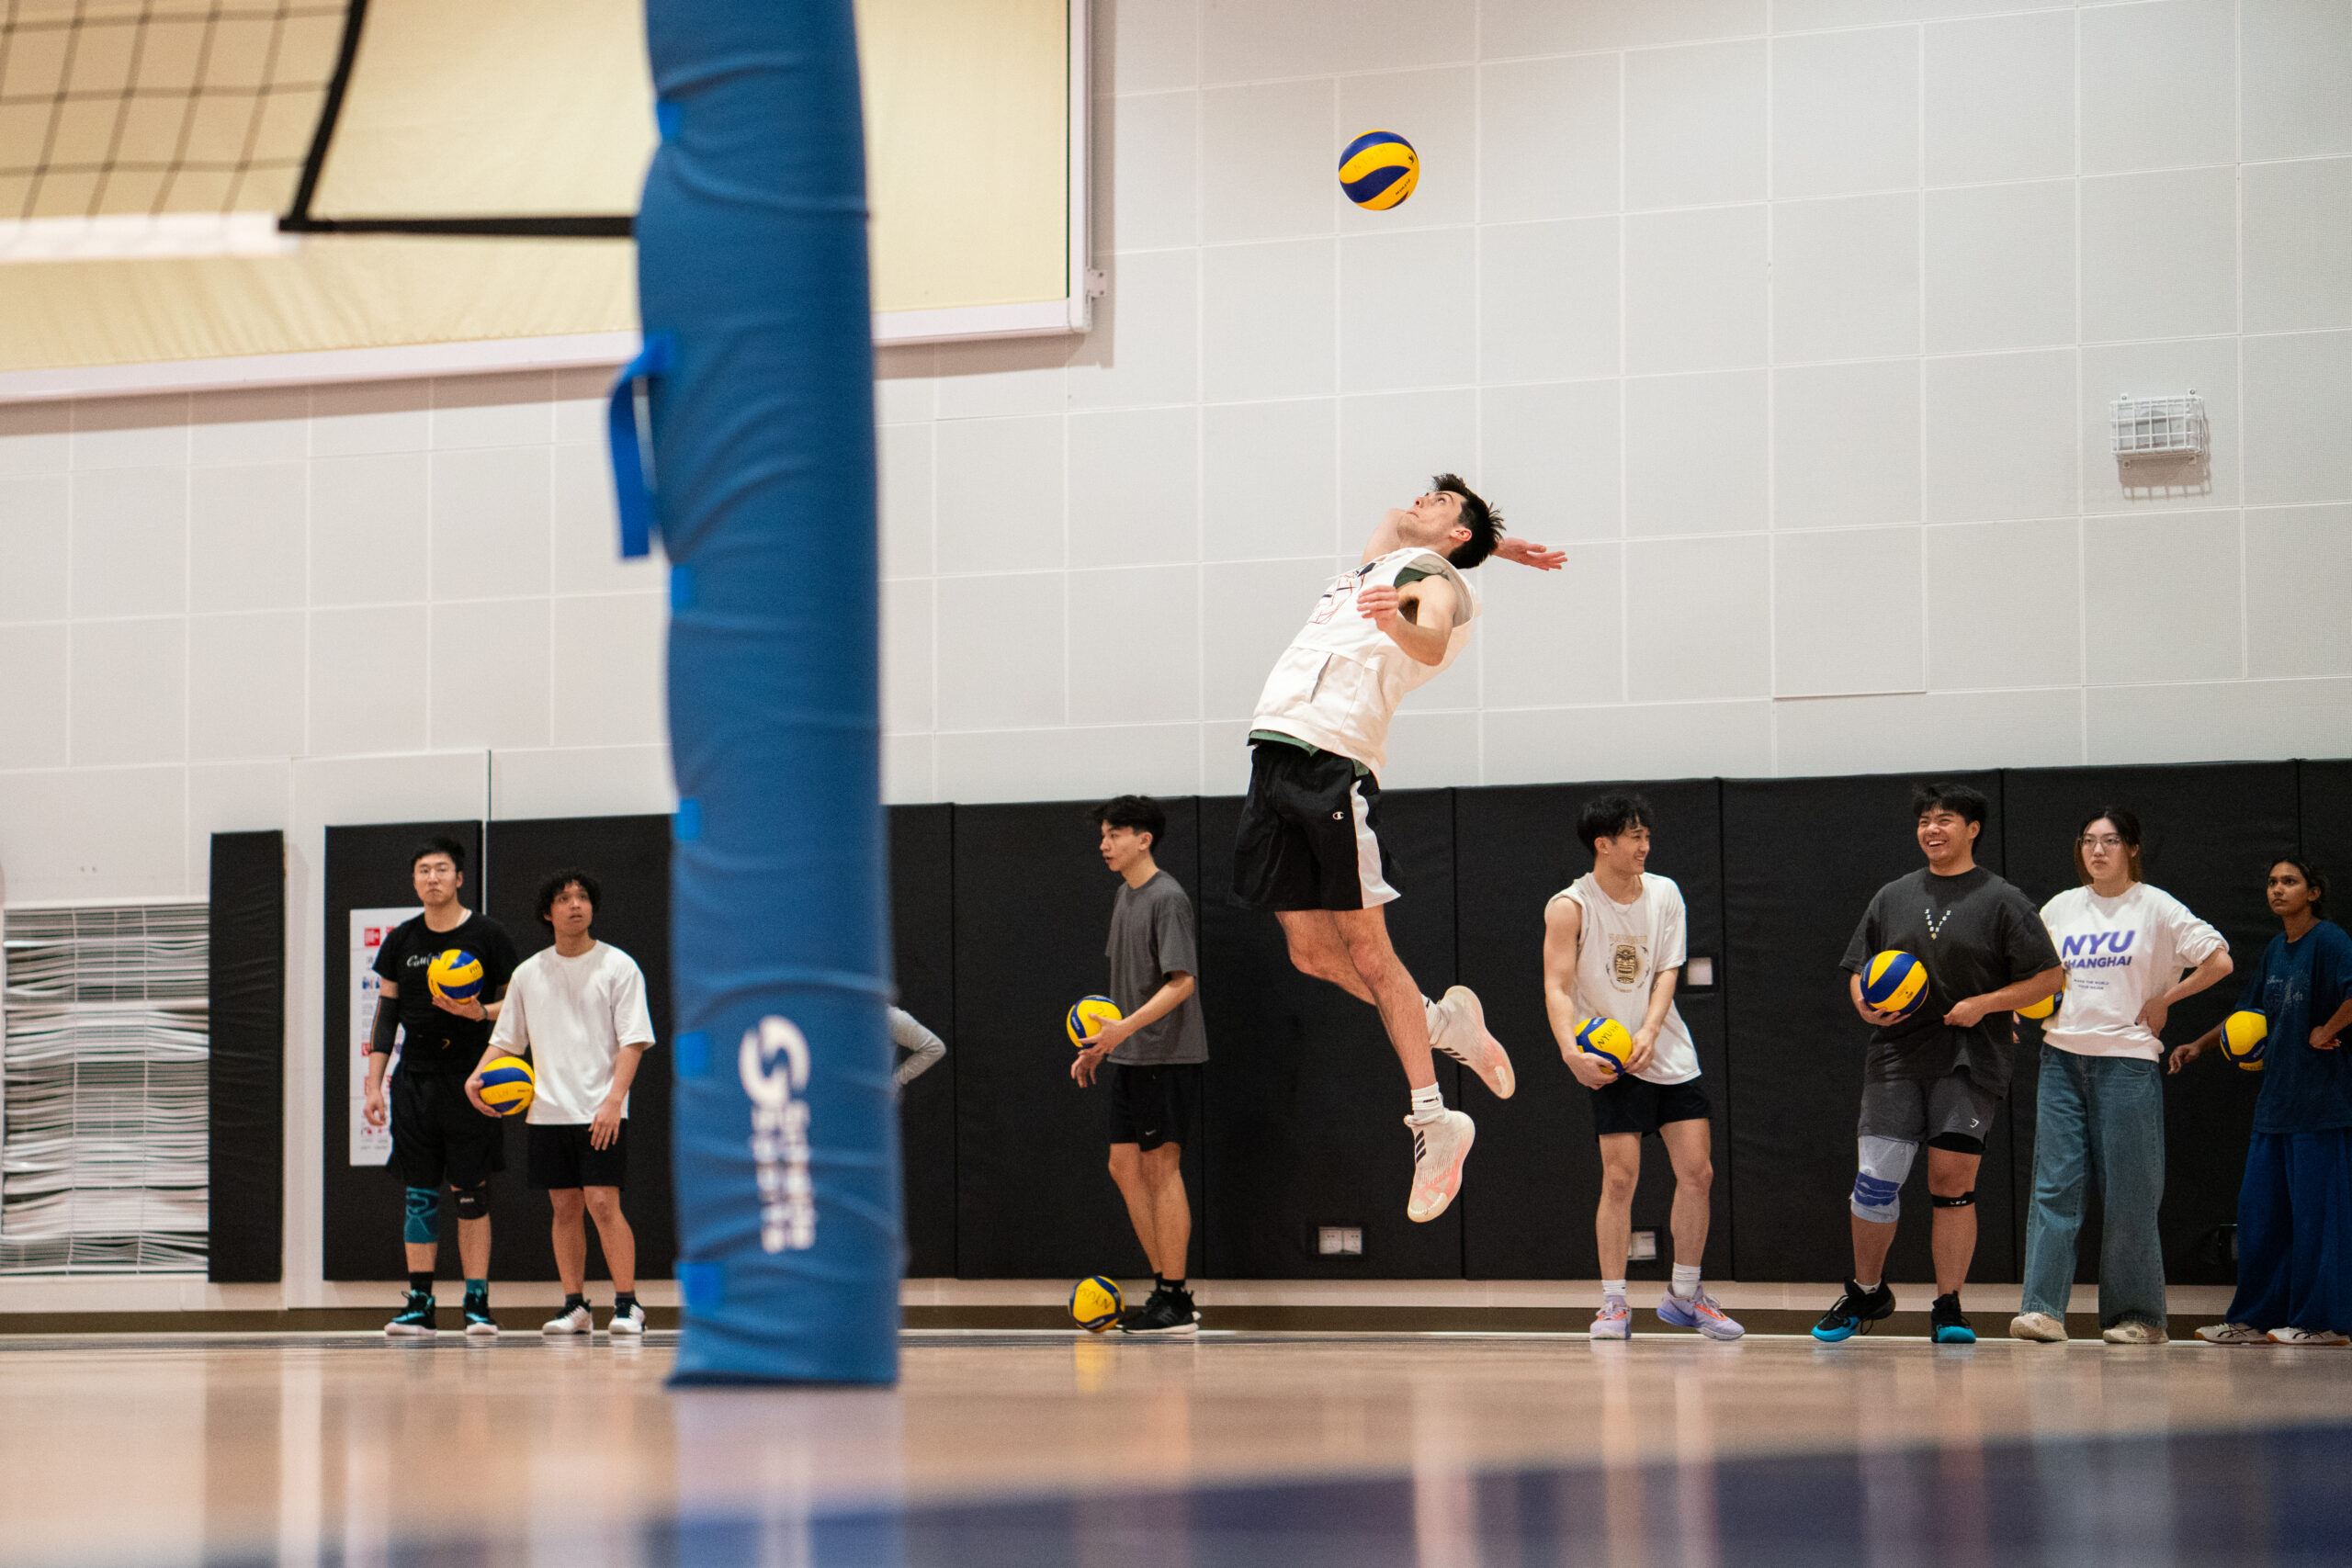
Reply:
x=1311, y=833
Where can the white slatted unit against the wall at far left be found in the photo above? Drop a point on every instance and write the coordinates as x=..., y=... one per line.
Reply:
x=105, y=1045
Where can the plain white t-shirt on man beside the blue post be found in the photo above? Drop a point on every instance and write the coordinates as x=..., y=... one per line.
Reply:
x=575, y=1017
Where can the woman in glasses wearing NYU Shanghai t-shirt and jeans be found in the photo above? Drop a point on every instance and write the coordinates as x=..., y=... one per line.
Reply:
x=2102, y=1106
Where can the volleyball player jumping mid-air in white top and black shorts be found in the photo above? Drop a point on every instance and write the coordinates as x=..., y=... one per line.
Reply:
x=1309, y=845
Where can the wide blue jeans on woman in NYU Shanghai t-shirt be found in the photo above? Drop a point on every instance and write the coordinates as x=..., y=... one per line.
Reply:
x=2099, y=1115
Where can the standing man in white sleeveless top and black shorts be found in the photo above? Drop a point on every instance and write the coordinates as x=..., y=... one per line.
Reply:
x=1615, y=949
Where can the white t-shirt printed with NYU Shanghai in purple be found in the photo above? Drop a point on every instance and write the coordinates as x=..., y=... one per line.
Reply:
x=2120, y=953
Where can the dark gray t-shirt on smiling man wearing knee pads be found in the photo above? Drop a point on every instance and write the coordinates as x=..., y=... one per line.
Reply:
x=1975, y=934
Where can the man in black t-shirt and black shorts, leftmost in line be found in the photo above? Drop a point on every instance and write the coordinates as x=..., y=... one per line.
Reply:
x=436, y=1130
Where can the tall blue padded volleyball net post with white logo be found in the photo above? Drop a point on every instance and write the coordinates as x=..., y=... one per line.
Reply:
x=751, y=274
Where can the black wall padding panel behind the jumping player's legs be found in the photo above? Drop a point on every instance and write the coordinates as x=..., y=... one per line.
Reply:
x=1307, y=1099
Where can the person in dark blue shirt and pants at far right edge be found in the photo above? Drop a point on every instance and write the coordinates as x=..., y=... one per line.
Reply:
x=2294, y=1209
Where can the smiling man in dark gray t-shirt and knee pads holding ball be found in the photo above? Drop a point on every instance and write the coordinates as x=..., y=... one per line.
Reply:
x=1935, y=1076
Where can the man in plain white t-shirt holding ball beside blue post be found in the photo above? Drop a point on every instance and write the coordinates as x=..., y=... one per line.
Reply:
x=580, y=1012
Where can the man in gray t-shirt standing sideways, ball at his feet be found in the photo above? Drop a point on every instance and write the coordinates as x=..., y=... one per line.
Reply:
x=1151, y=1059
